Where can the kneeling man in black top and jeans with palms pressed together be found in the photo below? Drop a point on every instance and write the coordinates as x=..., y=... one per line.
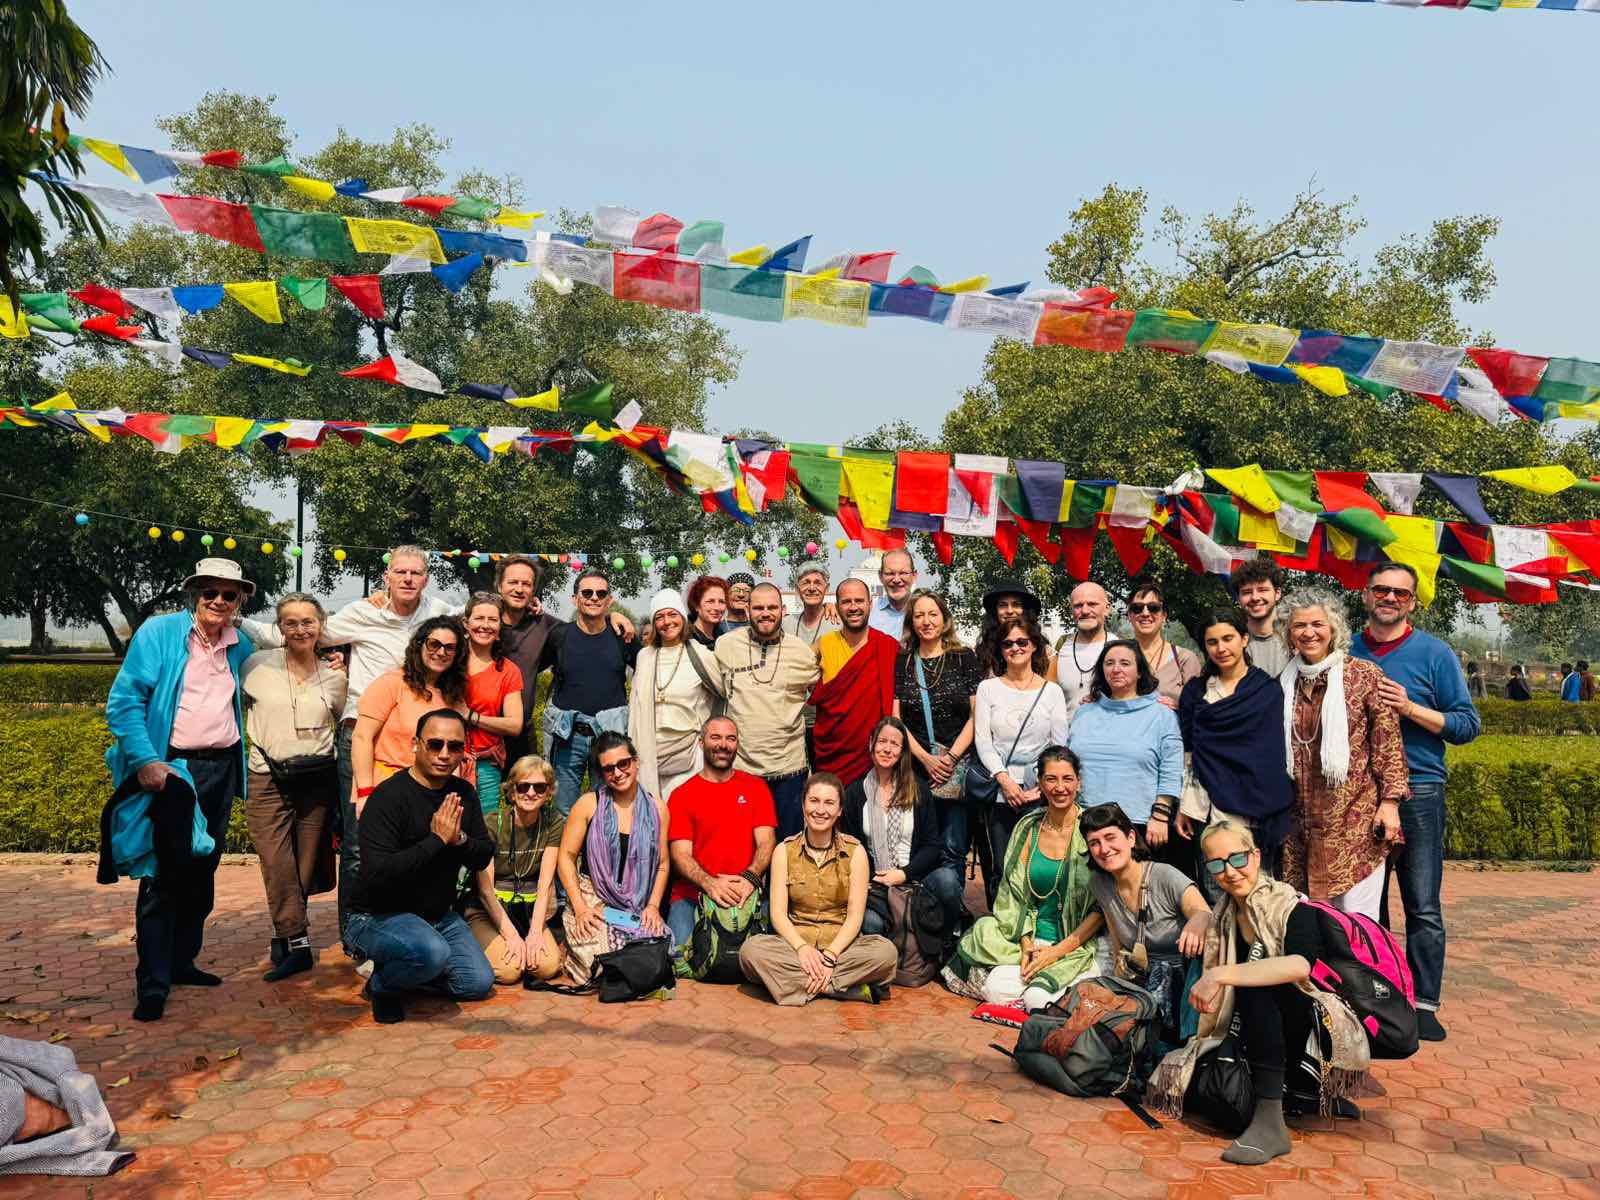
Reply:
x=417, y=831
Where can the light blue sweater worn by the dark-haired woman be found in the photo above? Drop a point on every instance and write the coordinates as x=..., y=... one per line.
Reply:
x=1132, y=753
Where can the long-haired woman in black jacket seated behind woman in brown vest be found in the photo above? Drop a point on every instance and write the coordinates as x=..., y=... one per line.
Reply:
x=894, y=815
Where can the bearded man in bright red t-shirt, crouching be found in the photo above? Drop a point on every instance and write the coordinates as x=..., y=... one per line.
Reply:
x=721, y=831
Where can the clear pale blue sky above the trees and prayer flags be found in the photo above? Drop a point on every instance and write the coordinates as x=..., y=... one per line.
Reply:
x=959, y=137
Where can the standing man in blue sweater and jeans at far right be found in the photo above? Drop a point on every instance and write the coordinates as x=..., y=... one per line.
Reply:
x=1423, y=682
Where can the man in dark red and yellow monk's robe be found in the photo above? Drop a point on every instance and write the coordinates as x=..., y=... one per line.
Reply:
x=857, y=687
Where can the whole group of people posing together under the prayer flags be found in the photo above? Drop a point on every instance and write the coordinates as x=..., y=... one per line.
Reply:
x=814, y=780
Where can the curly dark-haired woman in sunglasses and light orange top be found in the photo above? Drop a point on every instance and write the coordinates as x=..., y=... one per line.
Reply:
x=434, y=676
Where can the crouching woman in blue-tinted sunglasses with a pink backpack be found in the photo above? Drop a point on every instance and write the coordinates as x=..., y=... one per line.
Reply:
x=1305, y=1047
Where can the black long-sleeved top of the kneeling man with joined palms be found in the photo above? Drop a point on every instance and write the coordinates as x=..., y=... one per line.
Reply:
x=406, y=868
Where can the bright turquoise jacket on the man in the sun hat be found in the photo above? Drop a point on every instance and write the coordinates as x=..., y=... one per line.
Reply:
x=140, y=713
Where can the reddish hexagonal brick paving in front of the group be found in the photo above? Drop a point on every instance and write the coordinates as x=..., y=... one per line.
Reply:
x=294, y=1092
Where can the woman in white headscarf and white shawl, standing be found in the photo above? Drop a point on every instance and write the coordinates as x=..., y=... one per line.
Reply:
x=676, y=692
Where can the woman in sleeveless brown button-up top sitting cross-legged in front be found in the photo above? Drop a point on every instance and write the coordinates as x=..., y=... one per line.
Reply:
x=818, y=902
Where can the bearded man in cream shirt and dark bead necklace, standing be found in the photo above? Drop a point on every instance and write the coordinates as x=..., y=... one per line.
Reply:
x=767, y=678
